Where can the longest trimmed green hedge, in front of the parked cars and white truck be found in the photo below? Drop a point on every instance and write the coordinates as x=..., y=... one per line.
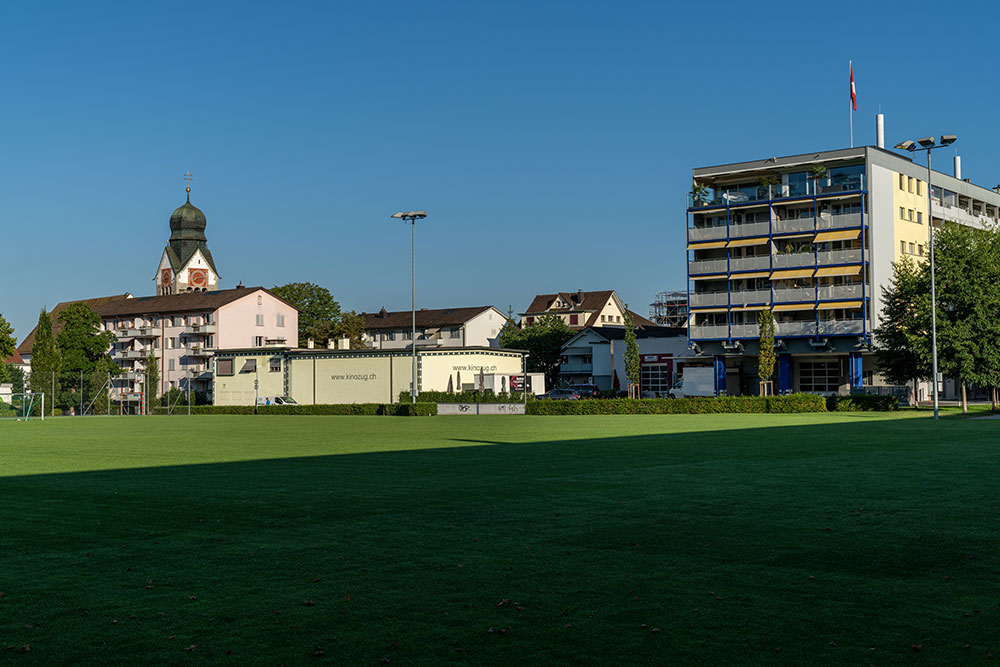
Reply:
x=665, y=406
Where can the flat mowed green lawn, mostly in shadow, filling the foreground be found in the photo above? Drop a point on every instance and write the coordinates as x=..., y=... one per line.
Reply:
x=679, y=539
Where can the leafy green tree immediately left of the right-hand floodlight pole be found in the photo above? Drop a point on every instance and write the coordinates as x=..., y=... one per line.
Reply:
x=903, y=335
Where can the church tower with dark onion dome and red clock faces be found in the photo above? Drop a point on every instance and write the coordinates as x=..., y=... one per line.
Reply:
x=186, y=264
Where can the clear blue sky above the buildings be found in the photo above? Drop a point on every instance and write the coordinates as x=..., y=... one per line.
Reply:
x=551, y=143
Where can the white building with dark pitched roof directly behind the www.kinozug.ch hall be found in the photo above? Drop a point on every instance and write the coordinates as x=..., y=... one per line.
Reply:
x=477, y=326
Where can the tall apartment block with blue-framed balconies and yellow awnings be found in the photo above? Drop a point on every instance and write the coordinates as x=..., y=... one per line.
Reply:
x=812, y=237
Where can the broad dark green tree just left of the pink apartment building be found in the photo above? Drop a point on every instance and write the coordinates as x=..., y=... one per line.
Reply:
x=82, y=346
